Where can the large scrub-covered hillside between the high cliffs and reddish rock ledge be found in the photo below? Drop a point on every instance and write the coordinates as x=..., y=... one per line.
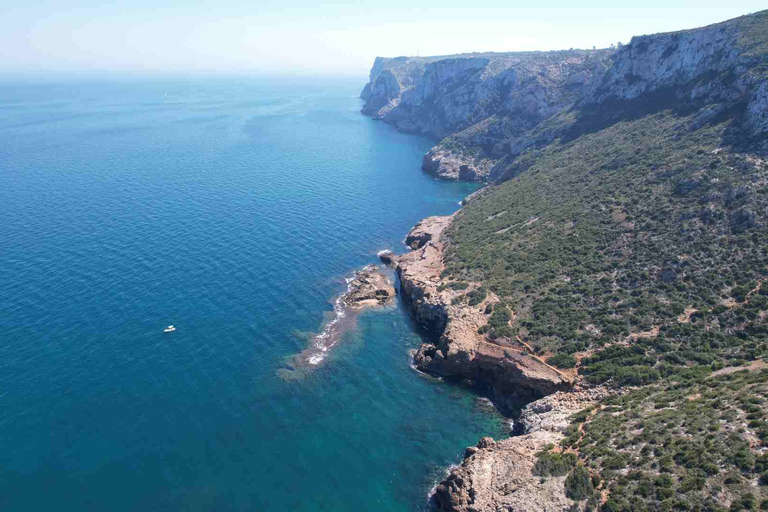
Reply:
x=629, y=233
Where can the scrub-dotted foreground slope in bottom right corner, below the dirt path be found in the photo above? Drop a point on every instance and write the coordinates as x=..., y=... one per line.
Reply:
x=681, y=444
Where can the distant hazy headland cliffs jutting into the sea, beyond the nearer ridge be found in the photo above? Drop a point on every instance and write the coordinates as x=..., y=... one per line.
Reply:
x=476, y=101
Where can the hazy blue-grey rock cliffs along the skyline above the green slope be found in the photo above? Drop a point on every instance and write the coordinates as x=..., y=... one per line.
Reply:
x=488, y=108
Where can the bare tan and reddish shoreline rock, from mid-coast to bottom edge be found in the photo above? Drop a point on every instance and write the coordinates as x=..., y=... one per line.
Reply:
x=494, y=475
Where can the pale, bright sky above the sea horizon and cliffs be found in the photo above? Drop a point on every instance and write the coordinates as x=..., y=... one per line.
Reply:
x=306, y=36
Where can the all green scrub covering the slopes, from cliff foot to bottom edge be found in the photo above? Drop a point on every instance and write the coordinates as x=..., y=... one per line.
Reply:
x=630, y=241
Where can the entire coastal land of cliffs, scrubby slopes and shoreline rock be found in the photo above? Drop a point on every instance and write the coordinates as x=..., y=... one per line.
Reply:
x=620, y=247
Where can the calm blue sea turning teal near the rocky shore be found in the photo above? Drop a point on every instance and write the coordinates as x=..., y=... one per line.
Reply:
x=232, y=209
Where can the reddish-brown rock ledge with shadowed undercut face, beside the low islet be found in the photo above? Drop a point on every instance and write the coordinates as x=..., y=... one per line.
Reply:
x=459, y=351
